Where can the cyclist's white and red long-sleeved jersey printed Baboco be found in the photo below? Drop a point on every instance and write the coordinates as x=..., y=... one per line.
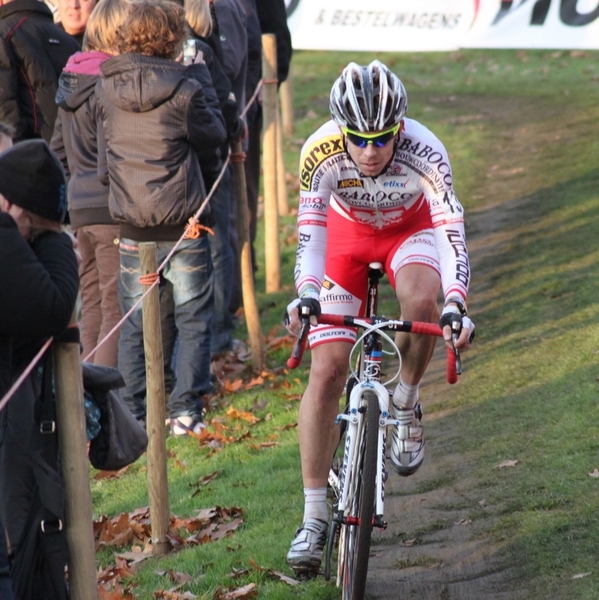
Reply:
x=418, y=178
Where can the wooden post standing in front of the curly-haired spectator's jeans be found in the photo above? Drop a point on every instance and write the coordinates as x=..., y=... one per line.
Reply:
x=156, y=409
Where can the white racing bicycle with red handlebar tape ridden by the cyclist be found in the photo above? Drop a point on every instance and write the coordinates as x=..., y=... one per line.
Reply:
x=358, y=484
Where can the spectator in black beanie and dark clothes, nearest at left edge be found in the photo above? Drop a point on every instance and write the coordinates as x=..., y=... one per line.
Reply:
x=39, y=285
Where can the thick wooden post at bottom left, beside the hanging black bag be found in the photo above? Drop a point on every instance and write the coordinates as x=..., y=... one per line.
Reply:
x=72, y=443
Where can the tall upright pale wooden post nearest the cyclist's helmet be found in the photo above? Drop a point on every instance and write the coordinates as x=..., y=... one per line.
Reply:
x=269, y=150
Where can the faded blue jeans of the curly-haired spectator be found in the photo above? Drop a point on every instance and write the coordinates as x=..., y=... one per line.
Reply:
x=190, y=273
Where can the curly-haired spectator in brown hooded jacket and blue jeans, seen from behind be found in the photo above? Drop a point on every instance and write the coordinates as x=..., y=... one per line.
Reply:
x=156, y=123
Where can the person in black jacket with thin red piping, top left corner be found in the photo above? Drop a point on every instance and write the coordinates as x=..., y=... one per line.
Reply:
x=33, y=52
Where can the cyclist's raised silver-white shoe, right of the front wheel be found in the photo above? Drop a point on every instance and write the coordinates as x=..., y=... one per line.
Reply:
x=407, y=443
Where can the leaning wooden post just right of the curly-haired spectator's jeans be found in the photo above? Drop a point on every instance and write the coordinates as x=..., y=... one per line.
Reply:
x=250, y=307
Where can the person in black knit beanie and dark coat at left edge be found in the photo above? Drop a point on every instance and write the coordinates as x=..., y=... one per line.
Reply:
x=39, y=284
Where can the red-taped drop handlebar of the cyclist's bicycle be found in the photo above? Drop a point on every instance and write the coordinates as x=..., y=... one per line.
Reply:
x=417, y=327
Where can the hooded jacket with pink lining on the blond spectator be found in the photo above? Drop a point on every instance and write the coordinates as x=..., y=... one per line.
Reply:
x=75, y=139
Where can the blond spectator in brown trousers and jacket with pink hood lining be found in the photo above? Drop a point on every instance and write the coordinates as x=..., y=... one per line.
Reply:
x=75, y=140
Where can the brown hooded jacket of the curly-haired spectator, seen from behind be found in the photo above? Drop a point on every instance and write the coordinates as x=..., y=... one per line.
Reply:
x=157, y=123
